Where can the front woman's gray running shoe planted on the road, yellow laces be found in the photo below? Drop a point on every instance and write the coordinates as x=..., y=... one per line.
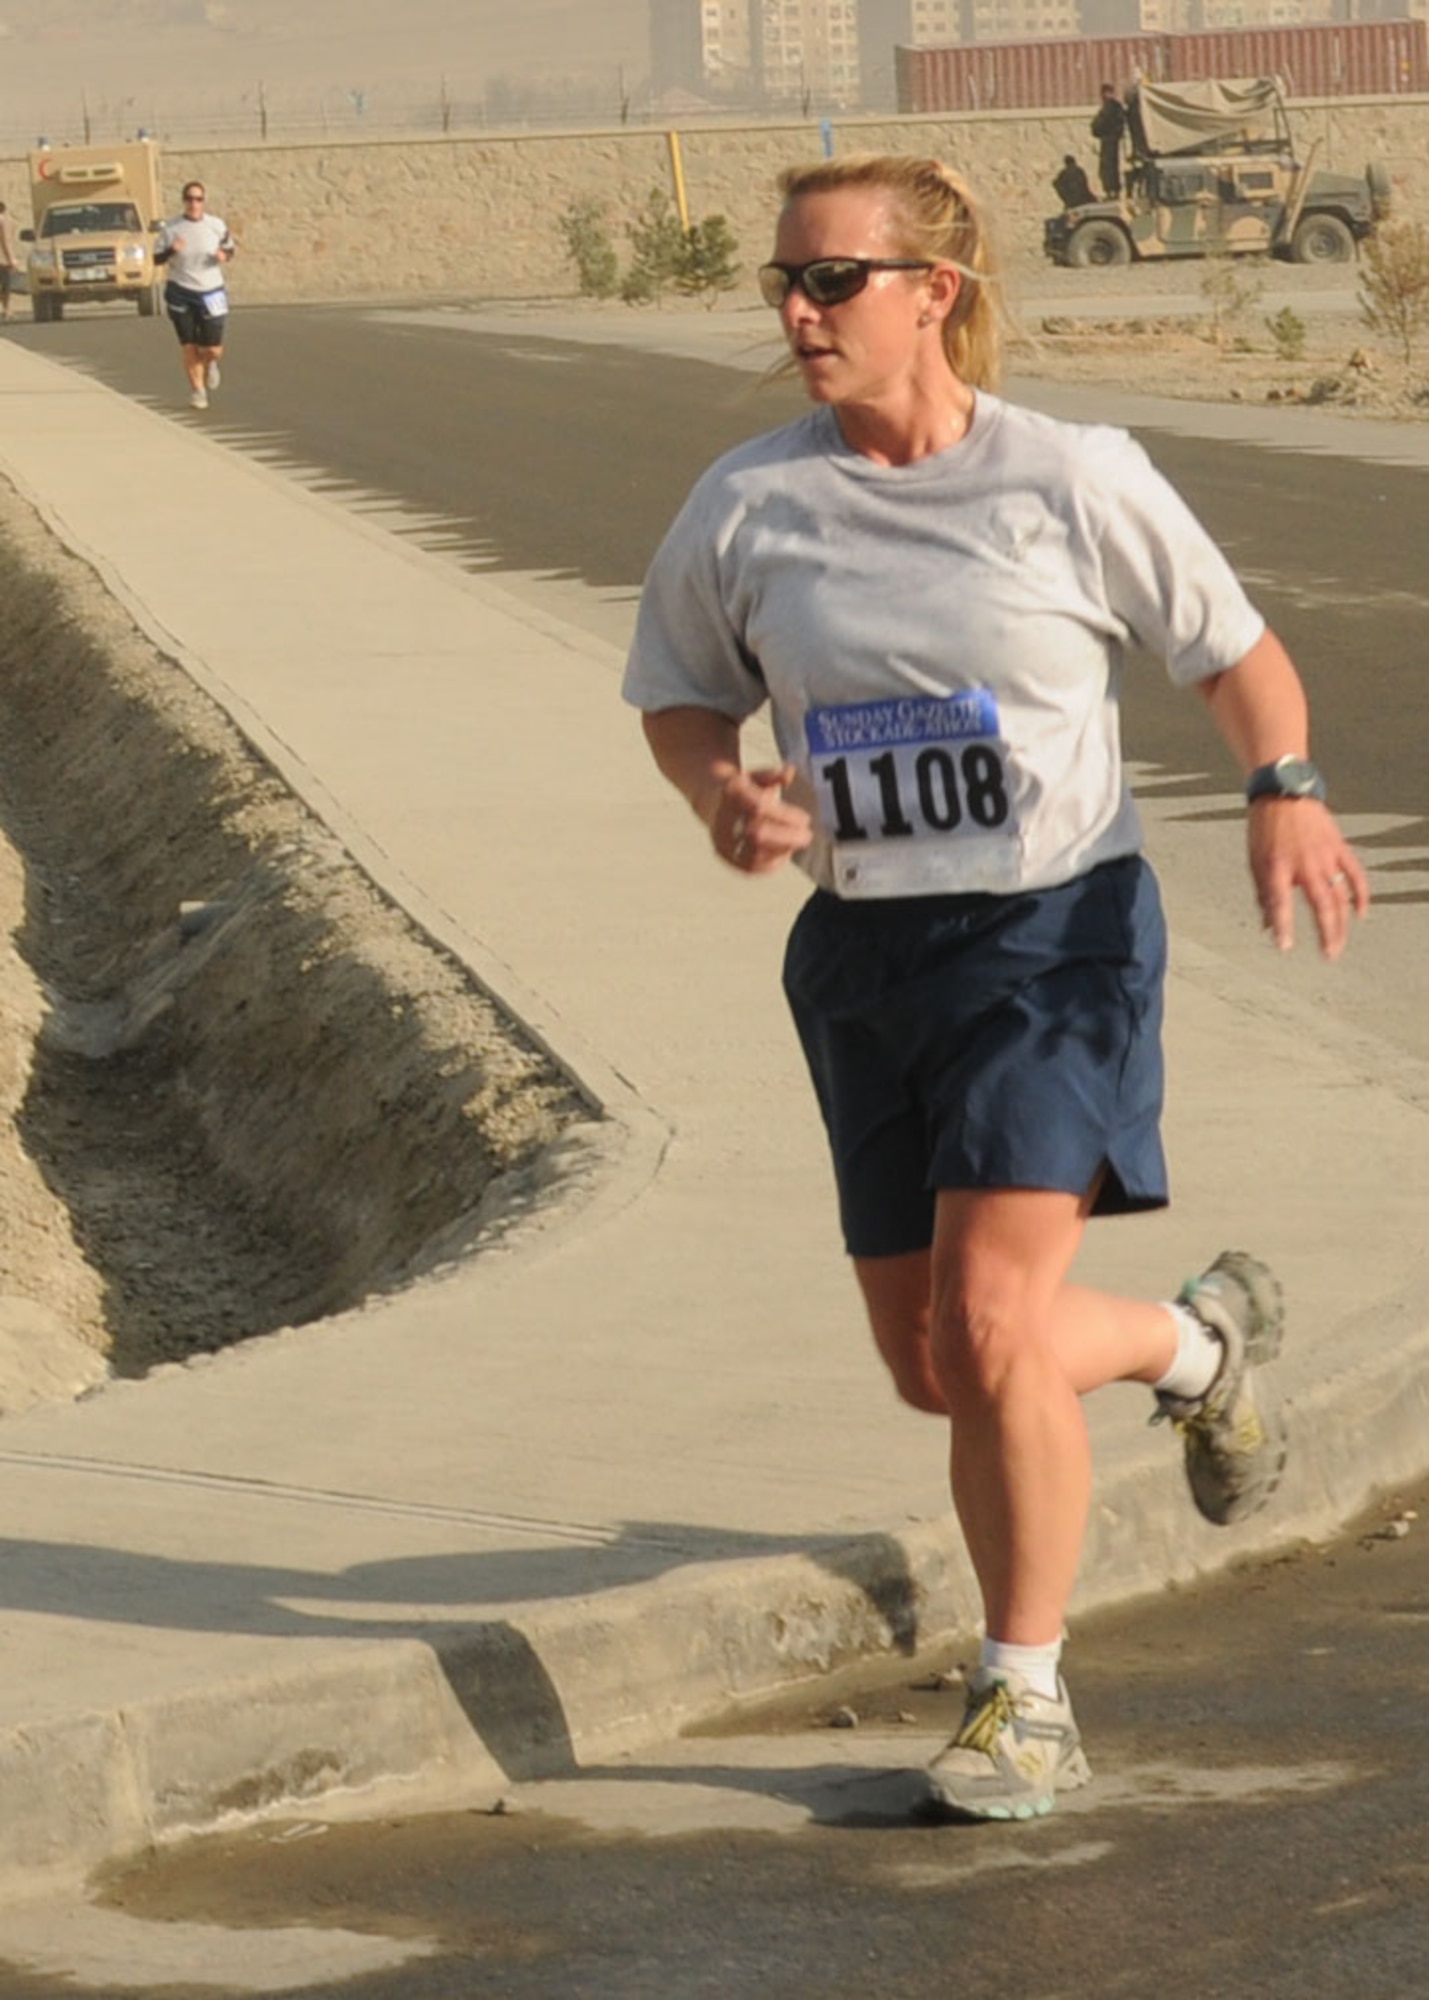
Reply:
x=1012, y=1757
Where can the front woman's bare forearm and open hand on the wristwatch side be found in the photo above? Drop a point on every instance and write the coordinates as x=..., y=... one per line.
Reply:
x=1294, y=843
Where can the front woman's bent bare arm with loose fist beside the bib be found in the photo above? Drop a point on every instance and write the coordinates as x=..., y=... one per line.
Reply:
x=744, y=811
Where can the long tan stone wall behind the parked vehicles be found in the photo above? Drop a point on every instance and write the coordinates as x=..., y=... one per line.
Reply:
x=479, y=217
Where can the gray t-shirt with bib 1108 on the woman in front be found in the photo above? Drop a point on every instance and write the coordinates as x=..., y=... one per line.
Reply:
x=942, y=643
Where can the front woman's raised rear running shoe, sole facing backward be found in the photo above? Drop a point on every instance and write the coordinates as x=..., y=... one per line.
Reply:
x=1234, y=1437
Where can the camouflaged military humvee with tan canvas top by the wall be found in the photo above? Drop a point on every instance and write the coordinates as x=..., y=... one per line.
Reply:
x=1214, y=173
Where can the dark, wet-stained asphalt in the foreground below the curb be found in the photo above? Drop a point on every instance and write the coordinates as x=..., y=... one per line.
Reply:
x=1258, y=1831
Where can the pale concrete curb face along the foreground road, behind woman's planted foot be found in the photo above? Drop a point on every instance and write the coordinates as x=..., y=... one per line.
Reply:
x=411, y=1725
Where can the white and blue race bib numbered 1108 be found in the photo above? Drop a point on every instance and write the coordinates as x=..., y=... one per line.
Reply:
x=914, y=793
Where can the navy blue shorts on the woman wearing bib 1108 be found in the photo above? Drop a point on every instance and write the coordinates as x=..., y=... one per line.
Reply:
x=986, y=1043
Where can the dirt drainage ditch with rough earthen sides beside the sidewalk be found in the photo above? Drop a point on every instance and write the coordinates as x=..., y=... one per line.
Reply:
x=239, y=1089
